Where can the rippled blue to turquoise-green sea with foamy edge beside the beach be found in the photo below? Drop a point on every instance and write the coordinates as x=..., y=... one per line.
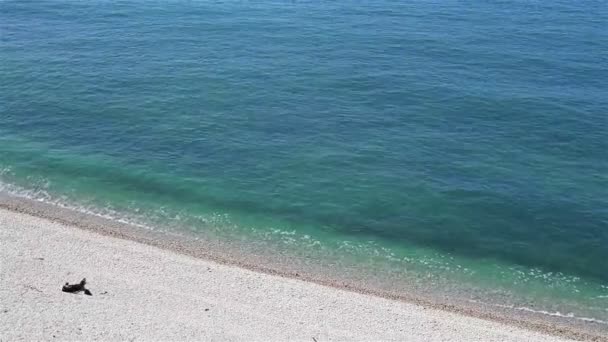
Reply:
x=465, y=142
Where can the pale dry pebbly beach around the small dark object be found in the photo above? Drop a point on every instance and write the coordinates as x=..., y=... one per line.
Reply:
x=142, y=292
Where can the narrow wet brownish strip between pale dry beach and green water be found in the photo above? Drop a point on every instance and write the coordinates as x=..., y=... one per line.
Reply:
x=209, y=252
